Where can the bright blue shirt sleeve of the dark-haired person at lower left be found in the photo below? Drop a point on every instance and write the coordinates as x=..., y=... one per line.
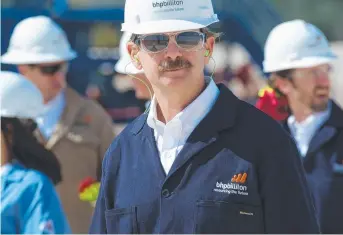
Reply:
x=45, y=214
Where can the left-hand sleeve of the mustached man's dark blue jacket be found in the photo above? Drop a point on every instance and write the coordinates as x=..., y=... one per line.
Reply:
x=110, y=167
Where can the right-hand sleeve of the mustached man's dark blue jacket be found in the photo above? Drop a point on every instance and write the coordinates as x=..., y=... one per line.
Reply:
x=287, y=202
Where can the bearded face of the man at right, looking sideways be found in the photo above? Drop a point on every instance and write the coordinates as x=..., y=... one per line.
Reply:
x=311, y=87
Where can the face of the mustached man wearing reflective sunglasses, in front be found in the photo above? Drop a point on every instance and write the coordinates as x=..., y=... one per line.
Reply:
x=172, y=59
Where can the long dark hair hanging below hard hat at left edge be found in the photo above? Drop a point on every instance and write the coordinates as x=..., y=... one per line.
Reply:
x=24, y=148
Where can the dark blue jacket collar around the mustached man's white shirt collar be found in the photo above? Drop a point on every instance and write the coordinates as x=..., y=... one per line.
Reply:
x=221, y=117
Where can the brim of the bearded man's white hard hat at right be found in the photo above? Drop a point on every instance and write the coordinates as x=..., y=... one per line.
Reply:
x=306, y=62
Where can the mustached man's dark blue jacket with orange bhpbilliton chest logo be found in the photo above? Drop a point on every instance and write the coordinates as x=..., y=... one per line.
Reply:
x=239, y=172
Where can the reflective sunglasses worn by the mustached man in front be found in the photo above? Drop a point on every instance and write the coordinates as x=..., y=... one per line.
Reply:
x=155, y=43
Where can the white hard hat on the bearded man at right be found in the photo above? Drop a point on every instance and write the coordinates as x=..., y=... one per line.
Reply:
x=296, y=44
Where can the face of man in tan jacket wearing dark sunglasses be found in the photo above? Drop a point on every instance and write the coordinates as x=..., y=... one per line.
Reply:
x=50, y=78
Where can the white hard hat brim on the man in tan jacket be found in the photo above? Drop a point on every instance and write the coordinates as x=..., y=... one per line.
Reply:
x=19, y=57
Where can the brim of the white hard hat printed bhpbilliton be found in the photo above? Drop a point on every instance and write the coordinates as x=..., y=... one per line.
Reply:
x=164, y=26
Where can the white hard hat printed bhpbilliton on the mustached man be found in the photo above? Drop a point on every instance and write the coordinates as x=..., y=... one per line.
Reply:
x=151, y=16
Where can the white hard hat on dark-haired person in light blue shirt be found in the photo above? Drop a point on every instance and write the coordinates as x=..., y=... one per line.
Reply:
x=20, y=98
